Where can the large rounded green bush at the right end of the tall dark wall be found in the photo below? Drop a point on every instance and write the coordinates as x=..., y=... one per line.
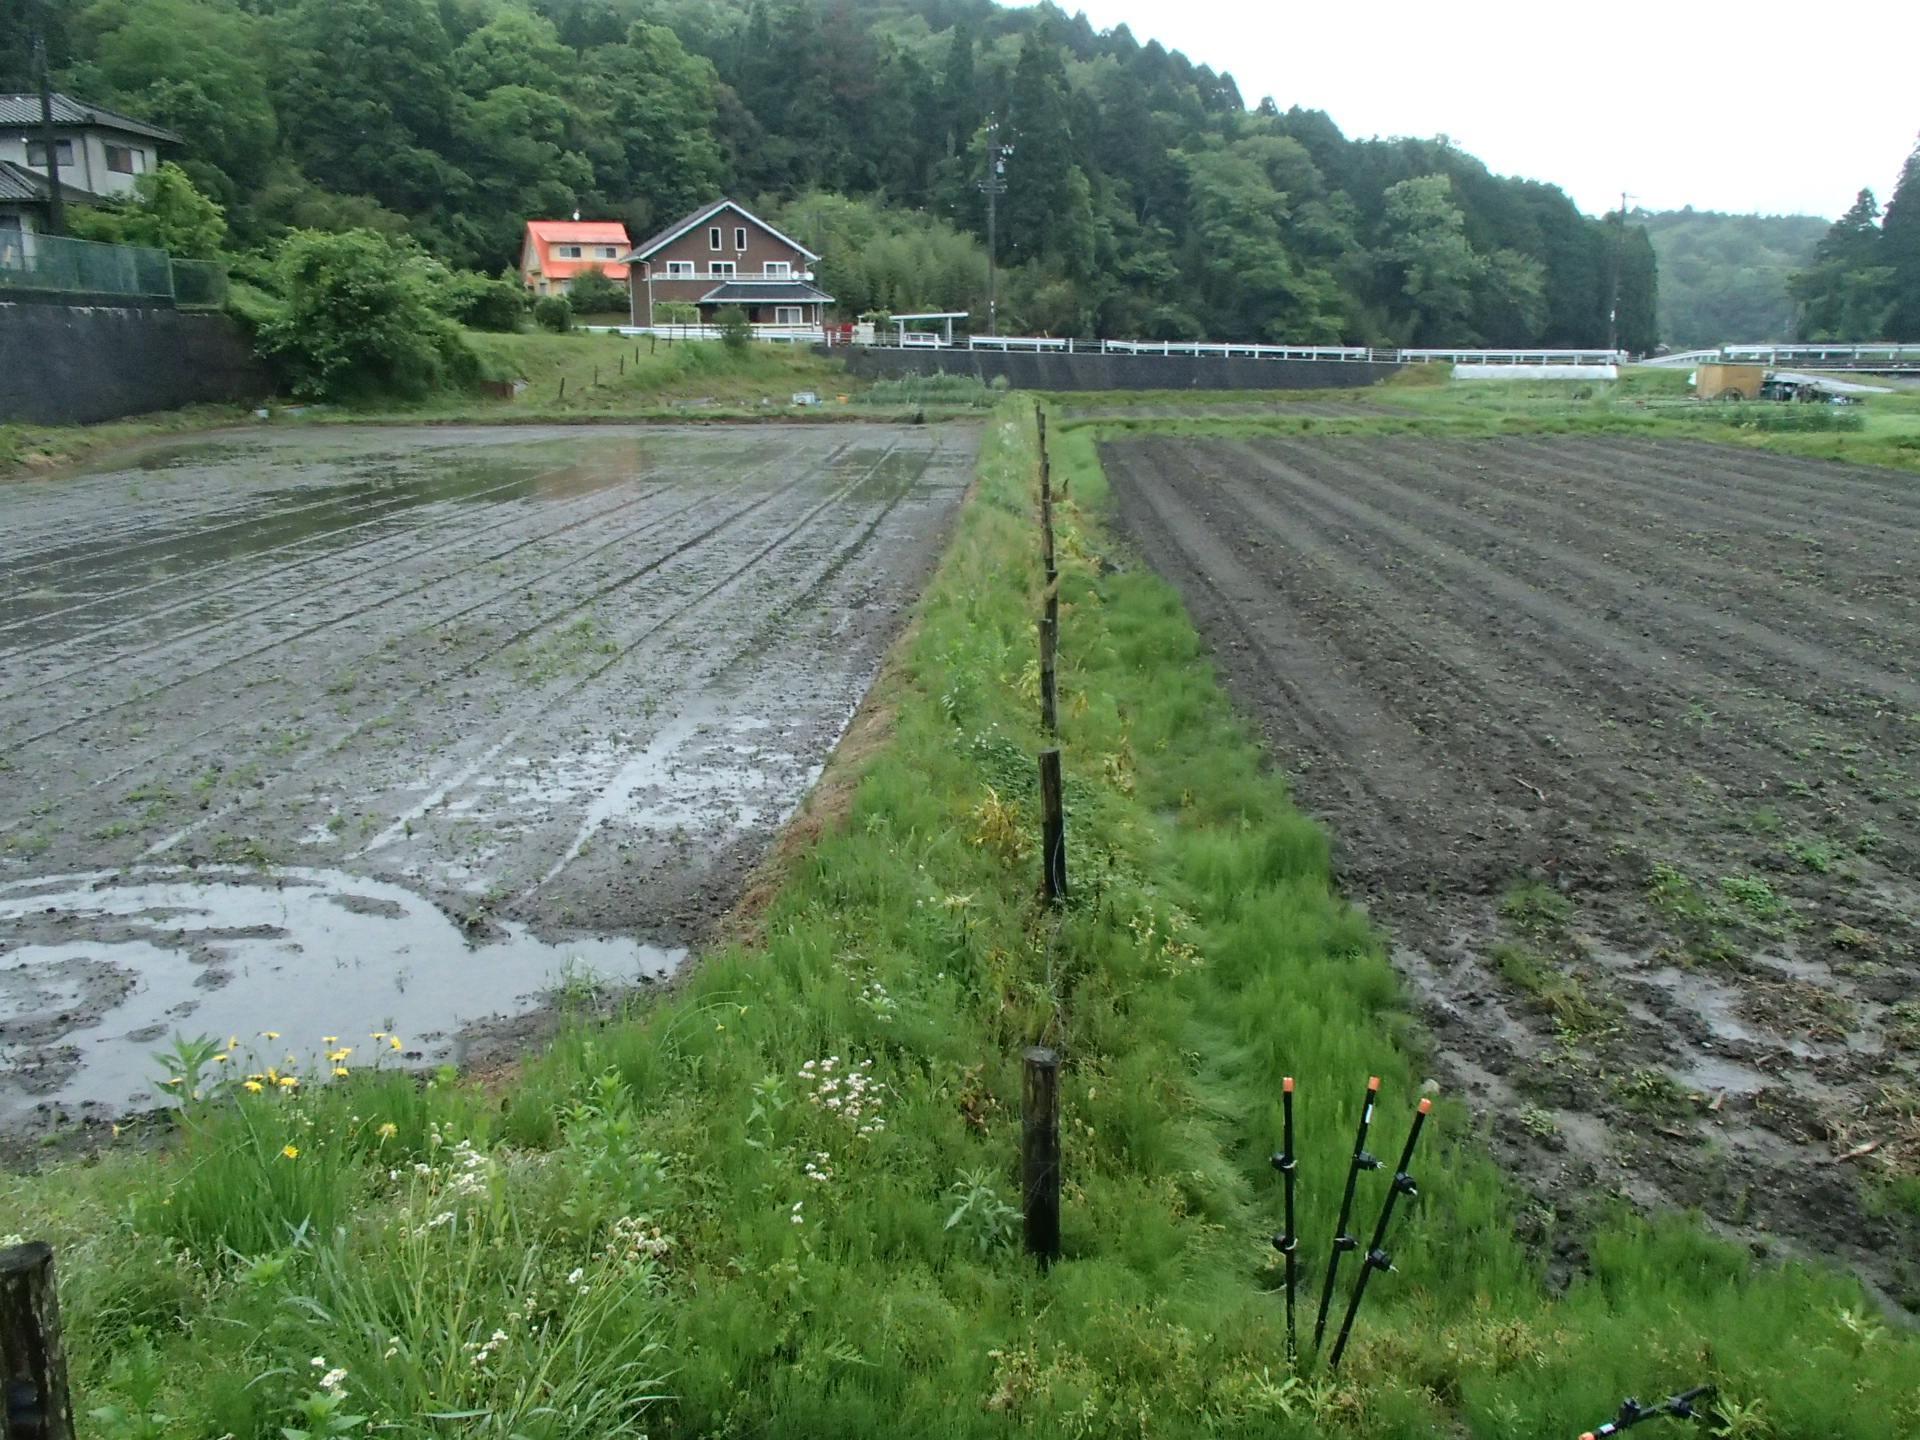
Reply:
x=356, y=320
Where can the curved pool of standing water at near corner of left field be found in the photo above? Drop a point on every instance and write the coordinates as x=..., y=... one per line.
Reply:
x=300, y=953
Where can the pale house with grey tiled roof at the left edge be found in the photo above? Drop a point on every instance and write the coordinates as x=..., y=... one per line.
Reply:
x=99, y=151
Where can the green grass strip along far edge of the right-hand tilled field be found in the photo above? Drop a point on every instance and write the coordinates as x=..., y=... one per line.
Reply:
x=1644, y=402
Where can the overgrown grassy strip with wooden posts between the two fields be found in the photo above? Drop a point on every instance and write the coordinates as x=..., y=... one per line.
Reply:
x=677, y=1207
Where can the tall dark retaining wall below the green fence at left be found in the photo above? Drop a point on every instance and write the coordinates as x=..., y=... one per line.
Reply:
x=80, y=364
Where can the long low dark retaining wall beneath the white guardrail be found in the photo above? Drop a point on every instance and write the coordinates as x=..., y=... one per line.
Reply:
x=1055, y=372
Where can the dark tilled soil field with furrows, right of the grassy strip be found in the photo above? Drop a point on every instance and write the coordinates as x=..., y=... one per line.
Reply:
x=1618, y=740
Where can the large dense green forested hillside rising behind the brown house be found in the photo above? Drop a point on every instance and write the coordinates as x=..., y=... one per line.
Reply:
x=1145, y=199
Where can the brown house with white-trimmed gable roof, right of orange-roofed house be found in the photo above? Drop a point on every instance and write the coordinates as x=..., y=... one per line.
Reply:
x=719, y=256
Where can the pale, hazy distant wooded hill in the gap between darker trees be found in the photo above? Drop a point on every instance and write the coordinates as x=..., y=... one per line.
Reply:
x=1725, y=277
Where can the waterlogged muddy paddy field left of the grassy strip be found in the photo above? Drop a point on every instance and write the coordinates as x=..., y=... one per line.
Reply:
x=398, y=729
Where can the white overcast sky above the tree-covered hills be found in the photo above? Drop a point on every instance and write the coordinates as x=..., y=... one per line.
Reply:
x=1773, y=107
